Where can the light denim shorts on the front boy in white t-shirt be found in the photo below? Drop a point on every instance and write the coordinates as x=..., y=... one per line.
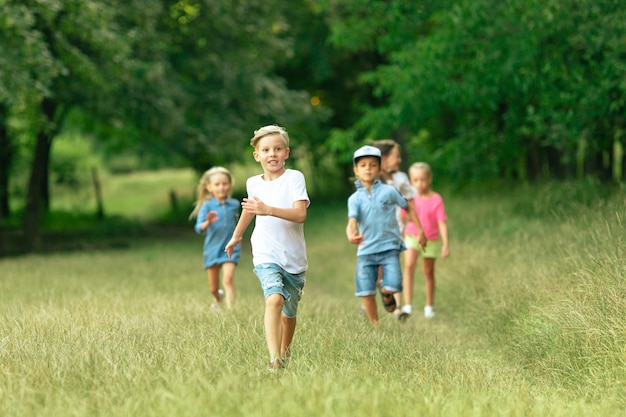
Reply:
x=275, y=280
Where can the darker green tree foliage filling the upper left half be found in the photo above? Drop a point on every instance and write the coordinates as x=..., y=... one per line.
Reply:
x=189, y=79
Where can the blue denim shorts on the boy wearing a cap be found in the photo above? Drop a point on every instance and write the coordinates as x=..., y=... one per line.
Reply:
x=367, y=272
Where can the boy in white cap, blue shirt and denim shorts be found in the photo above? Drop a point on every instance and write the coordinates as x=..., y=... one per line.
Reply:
x=373, y=226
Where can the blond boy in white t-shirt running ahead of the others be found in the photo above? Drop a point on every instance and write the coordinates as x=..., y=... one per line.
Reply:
x=279, y=200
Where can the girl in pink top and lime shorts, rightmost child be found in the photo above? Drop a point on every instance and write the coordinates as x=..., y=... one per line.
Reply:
x=432, y=215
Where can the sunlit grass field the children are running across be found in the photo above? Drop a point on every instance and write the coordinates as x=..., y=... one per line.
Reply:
x=530, y=321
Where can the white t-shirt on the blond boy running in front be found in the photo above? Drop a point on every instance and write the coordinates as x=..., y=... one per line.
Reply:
x=276, y=240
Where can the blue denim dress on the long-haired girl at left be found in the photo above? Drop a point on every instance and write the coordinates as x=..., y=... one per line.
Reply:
x=218, y=234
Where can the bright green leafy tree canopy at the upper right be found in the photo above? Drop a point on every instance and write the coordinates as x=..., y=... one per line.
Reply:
x=495, y=88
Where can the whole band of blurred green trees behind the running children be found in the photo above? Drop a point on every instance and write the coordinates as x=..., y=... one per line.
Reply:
x=481, y=89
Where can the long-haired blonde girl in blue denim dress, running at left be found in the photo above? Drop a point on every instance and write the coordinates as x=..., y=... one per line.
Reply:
x=216, y=214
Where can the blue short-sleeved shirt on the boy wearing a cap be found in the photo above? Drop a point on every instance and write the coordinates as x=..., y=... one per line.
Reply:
x=375, y=213
